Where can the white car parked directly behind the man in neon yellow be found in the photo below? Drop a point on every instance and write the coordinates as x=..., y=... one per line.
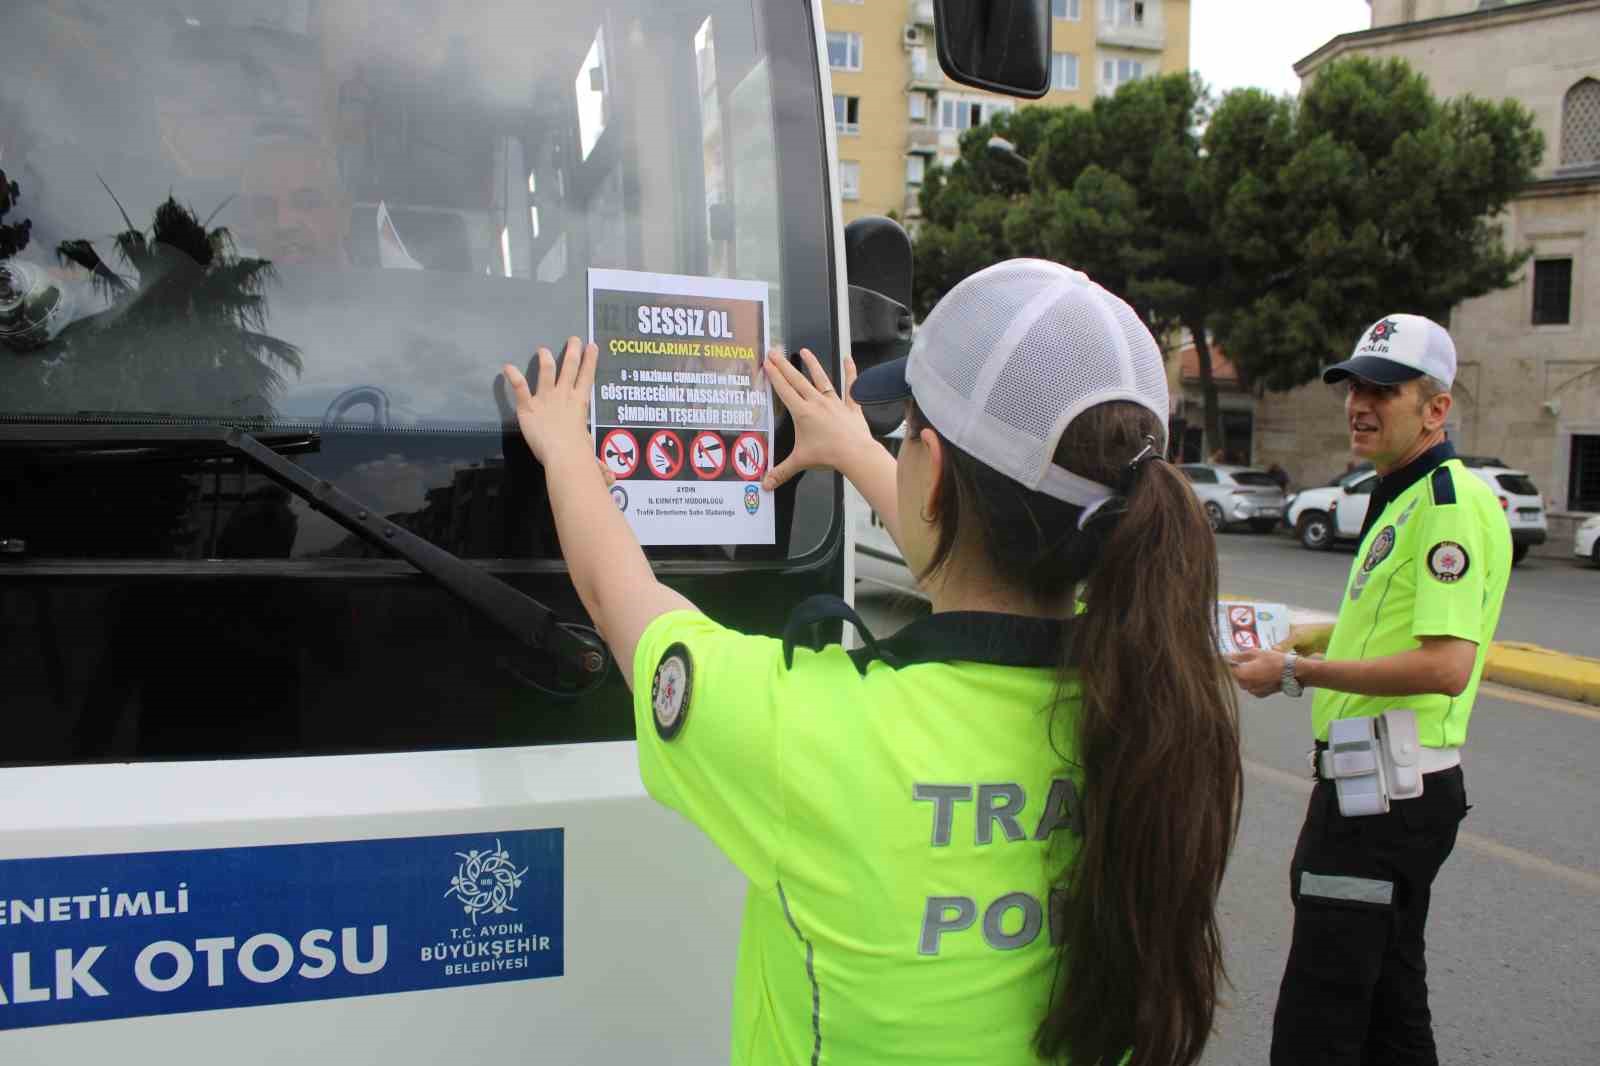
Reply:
x=1322, y=516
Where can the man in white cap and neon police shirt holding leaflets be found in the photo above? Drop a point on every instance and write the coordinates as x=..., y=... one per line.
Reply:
x=1420, y=611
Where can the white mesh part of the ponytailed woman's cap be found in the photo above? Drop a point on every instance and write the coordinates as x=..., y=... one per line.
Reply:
x=1012, y=355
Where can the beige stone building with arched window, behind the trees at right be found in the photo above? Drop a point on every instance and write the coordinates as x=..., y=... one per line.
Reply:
x=1529, y=387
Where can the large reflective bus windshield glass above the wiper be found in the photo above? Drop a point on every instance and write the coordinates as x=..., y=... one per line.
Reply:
x=372, y=196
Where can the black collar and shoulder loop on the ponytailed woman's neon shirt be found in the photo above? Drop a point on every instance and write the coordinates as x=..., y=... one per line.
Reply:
x=942, y=638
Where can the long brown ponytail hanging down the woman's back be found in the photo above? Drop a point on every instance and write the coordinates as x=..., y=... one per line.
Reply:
x=1158, y=737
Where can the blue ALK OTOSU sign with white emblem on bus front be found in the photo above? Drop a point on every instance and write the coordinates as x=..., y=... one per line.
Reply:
x=98, y=937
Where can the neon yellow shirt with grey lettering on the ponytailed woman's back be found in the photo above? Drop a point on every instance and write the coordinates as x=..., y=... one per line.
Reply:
x=900, y=825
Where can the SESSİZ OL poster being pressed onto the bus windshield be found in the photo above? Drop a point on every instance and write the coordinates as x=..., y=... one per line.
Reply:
x=682, y=415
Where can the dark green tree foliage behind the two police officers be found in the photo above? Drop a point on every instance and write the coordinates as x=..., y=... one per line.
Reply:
x=1278, y=226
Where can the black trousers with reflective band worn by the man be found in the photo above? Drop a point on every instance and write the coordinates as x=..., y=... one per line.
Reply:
x=1354, y=990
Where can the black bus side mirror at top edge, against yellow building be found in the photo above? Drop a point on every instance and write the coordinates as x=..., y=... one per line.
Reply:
x=998, y=46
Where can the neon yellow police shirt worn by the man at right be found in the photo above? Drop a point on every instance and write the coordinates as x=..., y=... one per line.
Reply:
x=1434, y=564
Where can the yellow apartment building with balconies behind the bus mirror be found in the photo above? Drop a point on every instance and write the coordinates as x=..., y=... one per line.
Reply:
x=897, y=114
